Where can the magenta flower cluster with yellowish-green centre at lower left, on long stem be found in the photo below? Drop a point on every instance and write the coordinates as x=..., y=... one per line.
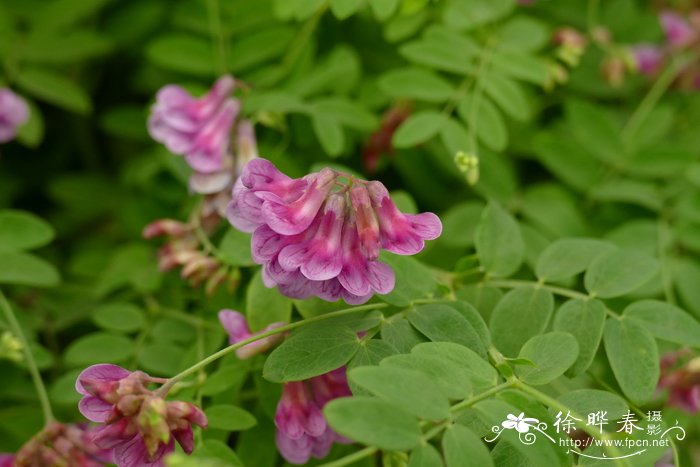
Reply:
x=139, y=426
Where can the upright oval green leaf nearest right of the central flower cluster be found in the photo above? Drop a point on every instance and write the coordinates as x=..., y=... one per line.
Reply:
x=499, y=242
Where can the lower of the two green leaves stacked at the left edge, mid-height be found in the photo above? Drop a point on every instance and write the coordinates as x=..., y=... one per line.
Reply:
x=25, y=269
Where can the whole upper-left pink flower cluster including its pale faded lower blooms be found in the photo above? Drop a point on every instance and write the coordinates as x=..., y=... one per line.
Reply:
x=200, y=129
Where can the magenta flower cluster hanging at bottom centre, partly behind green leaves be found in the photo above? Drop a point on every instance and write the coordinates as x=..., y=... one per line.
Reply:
x=302, y=431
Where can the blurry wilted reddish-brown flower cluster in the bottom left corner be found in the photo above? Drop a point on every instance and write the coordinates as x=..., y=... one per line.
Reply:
x=59, y=444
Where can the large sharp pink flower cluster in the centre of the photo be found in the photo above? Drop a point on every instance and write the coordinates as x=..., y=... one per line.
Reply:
x=321, y=235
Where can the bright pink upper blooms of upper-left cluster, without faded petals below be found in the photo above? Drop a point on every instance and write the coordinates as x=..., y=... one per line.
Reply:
x=198, y=129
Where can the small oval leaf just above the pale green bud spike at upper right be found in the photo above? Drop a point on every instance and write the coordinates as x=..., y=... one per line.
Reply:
x=486, y=121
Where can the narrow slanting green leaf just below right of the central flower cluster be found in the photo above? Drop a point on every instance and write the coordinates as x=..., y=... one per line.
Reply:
x=441, y=323
